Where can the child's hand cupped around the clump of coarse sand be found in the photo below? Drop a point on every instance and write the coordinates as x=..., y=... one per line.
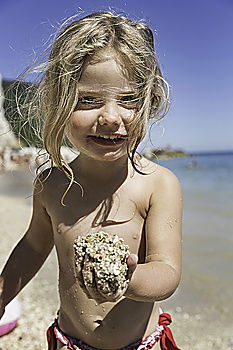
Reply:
x=87, y=281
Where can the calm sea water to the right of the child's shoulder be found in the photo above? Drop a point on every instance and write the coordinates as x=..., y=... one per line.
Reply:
x=207, y=182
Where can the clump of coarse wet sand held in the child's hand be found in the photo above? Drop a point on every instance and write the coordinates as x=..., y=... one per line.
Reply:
x=105, y=266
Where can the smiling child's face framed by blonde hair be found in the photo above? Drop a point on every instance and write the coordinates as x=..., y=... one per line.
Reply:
x=105, y=108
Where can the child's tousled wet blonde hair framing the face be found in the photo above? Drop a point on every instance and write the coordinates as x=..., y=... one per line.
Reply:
x=57, y=93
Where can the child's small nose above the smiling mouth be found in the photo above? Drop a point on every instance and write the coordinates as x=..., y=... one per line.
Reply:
x=110, y=114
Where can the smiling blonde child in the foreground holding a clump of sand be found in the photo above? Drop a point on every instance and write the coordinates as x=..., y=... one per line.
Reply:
x=102, y=83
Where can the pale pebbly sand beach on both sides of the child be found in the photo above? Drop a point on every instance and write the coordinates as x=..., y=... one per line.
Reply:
x=197, y=325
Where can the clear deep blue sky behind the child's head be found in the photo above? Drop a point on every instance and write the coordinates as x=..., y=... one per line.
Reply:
x=194, y=43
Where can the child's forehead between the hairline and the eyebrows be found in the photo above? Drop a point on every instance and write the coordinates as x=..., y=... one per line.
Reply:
x=104, y=73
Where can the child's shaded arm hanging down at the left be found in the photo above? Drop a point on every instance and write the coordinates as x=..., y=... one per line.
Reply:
x=28, y=255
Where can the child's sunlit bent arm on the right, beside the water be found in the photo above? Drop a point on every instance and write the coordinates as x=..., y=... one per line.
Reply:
x=159, y=276
